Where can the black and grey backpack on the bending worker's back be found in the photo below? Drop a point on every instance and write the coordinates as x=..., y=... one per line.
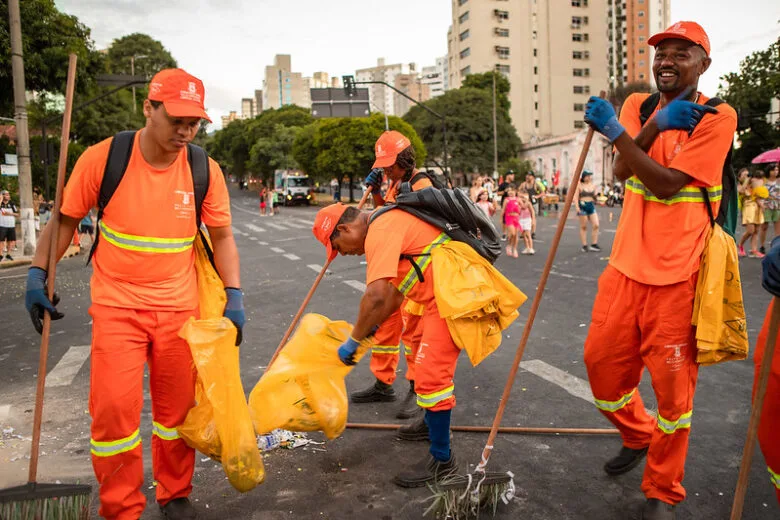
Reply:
x=453, y=212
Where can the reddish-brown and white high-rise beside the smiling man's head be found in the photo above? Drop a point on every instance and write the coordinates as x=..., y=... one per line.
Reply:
x=630, y=25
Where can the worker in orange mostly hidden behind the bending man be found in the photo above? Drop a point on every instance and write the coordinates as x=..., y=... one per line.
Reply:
x=395, y=158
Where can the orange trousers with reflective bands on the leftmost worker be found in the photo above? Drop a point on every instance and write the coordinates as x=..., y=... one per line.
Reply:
x=123, y=341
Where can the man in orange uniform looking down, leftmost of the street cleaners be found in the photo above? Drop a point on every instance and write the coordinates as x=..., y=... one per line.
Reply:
x=143, y=289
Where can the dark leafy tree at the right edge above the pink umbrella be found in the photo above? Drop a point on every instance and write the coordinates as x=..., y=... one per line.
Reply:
x=750, y=91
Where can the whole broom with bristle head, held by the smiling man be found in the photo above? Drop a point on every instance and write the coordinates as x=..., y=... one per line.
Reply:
x=462, y=496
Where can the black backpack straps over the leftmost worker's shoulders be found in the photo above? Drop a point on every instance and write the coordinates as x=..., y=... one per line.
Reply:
x=119, y=157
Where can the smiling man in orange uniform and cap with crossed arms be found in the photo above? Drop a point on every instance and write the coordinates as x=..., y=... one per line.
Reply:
x=643, y=309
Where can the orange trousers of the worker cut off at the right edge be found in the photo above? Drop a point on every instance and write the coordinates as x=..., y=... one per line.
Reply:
x=770, y=414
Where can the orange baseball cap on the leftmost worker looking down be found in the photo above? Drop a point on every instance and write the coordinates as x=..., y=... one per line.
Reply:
x=181, y=94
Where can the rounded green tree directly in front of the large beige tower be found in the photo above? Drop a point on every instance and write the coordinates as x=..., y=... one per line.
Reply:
x=469, y=116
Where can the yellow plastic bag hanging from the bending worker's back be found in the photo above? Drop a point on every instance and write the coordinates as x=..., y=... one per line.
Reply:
x=476, y=300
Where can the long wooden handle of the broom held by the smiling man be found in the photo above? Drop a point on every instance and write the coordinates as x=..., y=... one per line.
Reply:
x=537, y=301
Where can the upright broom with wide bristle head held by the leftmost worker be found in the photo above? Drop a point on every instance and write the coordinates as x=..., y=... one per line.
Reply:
x=35, y=501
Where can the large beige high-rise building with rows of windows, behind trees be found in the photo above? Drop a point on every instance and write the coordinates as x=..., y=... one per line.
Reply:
x=554, y=52
